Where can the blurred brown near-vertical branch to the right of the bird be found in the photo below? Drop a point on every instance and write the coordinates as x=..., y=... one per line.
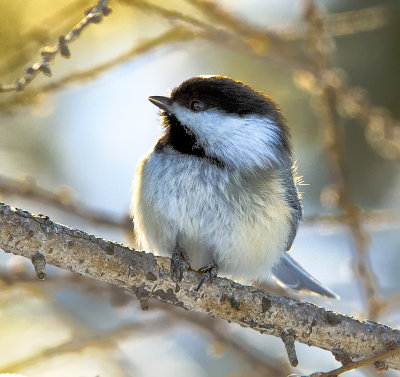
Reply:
x=321, y=45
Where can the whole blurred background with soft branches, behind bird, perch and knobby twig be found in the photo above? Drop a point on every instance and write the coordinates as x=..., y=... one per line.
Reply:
x=69, y=145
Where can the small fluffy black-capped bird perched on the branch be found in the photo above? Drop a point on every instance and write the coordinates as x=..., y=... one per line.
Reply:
x=217, y=192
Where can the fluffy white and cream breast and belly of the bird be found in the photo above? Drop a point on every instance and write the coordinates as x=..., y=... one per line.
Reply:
x=181, y=198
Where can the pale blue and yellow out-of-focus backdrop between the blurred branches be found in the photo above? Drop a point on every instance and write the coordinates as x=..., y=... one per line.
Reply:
x=90, y=136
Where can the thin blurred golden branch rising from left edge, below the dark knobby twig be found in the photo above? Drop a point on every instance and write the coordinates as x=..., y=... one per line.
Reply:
x=173, y=35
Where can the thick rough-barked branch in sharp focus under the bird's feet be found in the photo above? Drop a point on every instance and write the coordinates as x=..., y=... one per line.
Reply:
x=148, y=276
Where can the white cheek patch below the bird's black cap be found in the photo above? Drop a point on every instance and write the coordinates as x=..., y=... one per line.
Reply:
x=240, y=141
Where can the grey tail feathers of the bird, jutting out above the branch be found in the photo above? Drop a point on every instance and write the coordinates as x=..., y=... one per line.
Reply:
x=290, y=274
